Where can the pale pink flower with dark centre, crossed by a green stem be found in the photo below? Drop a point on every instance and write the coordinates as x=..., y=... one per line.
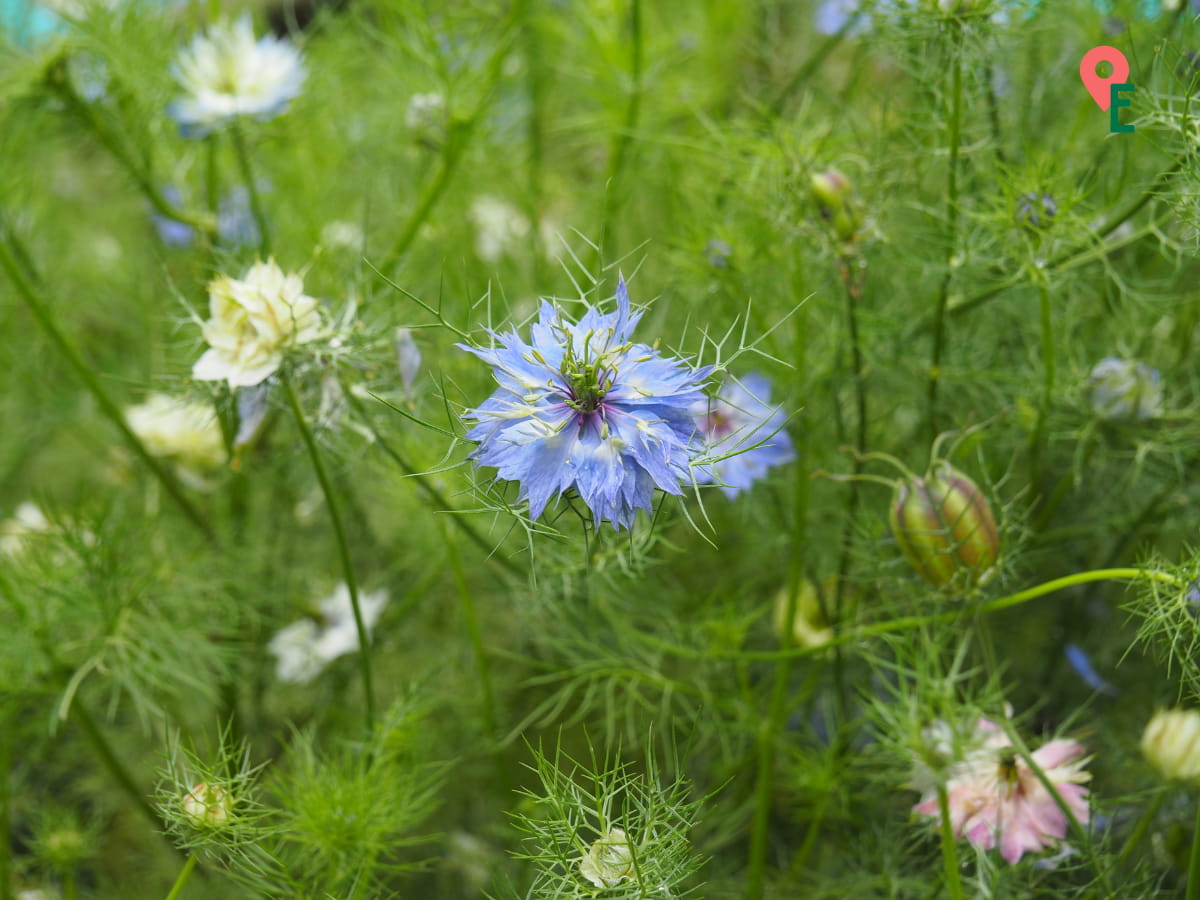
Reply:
x=995, y=797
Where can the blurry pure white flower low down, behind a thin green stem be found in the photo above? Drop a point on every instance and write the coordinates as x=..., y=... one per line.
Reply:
x=304, y=649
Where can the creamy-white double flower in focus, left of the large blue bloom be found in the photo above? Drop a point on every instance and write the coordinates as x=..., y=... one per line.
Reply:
x=253, y=323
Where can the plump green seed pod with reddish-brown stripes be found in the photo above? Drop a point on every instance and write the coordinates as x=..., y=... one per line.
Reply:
x=945, y=527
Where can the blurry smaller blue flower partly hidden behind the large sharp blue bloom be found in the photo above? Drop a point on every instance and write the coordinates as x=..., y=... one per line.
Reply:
x=742, y=427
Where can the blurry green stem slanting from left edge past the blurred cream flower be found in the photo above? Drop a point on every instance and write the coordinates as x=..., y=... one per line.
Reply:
x=10, y=254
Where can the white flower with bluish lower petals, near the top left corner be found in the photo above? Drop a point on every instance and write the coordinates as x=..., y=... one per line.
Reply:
x=226, y=74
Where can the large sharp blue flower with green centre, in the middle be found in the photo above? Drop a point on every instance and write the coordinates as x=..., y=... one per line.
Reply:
x=583, y=407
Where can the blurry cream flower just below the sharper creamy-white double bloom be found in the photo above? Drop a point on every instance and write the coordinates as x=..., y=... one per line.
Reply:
x=183, y=430
